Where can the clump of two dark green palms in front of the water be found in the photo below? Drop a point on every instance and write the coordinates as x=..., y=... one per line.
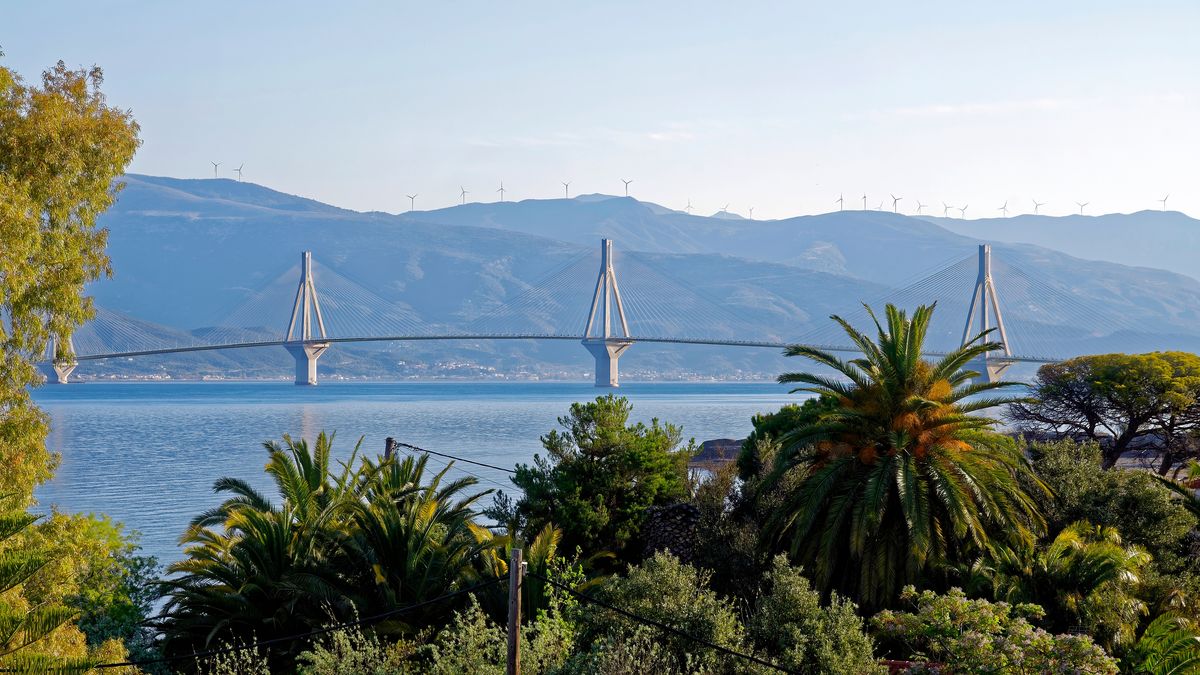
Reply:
x=368, y=539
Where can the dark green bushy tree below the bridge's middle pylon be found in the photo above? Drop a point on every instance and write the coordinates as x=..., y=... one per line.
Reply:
x=599, y=477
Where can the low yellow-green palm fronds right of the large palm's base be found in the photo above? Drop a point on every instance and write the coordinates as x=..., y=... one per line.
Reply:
x=1087, y=577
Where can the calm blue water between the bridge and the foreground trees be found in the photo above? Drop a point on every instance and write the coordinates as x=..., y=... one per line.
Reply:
x=147, y=455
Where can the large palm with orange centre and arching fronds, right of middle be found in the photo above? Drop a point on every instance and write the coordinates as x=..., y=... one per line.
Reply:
x=901, y=480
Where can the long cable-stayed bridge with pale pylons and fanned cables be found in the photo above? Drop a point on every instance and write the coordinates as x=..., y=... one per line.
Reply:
x=608, y=306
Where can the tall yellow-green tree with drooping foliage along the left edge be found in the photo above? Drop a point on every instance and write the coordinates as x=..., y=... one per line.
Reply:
x=62, y=147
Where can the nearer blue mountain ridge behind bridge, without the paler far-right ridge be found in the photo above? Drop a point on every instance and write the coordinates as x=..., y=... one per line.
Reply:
x=185, y=253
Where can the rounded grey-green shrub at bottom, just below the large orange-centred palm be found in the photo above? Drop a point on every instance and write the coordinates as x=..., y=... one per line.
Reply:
x=790, y=626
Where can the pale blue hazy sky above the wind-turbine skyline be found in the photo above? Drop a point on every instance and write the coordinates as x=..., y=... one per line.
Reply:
x=777, y=106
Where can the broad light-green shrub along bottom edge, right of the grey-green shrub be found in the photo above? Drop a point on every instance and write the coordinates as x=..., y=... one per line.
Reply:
x=975, y=636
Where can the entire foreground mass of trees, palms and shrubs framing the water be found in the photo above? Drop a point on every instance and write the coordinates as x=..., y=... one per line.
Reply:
x=885, y=519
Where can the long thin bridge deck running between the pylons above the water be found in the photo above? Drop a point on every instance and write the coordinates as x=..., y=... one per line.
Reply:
x=770, y=345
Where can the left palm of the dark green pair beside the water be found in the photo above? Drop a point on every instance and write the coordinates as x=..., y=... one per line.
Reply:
x=256, y=570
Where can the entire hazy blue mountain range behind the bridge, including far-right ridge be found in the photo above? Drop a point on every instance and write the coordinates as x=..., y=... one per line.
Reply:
x=189, y=253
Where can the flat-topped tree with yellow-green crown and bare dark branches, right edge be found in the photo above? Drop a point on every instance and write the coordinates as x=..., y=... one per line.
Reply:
x=1118, y=399
